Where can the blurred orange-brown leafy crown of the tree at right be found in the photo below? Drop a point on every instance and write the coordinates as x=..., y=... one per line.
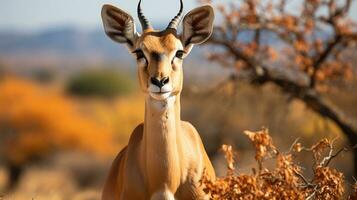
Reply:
x=257, y=32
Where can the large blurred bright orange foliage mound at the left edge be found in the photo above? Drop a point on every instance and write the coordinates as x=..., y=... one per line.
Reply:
x=34, y=122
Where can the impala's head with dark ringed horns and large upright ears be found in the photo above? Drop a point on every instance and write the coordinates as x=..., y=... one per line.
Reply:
x=159, y=54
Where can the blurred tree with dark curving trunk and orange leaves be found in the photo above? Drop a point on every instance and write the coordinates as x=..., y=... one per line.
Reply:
x=302, y=49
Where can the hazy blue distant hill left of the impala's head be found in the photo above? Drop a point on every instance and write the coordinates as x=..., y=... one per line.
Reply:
x=62, y=42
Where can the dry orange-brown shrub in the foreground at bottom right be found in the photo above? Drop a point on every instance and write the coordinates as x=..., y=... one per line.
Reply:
x=286, y=180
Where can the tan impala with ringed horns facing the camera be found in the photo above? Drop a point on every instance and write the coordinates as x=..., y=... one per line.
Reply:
x=165, y=157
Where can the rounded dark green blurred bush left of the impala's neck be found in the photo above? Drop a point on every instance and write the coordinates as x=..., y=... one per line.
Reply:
x=101, y=83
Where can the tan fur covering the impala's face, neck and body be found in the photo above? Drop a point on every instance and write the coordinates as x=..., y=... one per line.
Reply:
x=165, y=157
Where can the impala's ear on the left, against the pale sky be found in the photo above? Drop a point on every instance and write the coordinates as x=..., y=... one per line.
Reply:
x=119, y=25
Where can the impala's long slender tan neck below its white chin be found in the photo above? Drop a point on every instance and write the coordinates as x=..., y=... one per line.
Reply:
x=160, y=153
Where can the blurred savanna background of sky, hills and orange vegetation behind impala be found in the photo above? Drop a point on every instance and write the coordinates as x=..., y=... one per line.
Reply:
x=69, y=96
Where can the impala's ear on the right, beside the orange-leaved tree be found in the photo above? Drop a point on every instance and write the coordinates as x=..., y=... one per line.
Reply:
x=197, y=26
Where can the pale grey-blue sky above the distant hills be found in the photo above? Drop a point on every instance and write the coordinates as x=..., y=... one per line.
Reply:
x=34, y=15
